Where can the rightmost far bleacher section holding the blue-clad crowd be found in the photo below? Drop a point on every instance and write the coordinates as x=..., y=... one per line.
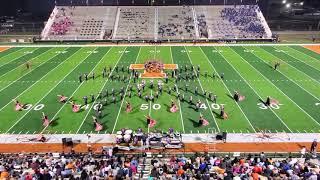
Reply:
x=232, y=22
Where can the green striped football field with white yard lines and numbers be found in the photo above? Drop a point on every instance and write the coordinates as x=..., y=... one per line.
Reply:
x=248, y=69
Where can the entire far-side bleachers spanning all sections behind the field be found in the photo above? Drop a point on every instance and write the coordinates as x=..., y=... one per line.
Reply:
x=156, y=23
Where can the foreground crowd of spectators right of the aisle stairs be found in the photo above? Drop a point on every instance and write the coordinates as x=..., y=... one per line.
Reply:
x=252, y=167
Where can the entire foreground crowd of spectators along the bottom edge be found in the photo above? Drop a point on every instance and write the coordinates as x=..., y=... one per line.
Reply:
x=108, y=166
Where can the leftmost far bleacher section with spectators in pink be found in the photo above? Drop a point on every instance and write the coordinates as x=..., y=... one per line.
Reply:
x=74, y=23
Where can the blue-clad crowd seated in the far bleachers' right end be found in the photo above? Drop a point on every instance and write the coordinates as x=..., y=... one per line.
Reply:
x=245, y=18
